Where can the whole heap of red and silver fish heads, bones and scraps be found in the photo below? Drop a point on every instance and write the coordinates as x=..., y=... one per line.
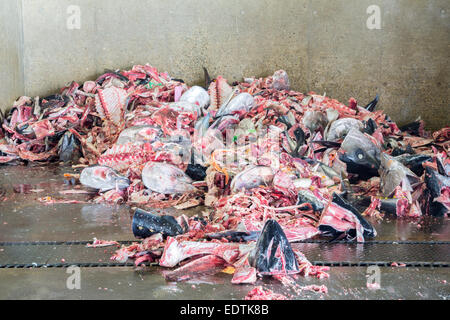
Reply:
x=270, y=165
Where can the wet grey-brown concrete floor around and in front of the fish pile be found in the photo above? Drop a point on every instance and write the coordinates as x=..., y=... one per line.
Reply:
x=23, y=218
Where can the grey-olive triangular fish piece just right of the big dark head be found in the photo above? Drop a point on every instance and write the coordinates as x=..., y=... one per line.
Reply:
x=393, y=173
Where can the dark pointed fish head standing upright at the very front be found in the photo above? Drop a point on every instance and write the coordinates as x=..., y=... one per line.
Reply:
x=273, y=254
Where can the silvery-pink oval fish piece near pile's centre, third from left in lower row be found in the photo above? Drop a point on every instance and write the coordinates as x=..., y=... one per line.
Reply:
x=252, y=177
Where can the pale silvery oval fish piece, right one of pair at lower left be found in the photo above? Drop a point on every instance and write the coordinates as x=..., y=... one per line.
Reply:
x=166, y=178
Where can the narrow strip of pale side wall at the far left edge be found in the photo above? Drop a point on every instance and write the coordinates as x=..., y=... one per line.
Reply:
x=11, y=66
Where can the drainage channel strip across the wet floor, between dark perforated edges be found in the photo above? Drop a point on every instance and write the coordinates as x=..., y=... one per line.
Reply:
x=382, y=253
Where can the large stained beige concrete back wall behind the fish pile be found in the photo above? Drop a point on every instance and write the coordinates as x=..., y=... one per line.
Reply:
x=324, y=46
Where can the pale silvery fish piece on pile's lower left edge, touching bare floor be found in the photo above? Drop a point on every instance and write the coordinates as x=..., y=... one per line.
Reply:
x=103, y=178
